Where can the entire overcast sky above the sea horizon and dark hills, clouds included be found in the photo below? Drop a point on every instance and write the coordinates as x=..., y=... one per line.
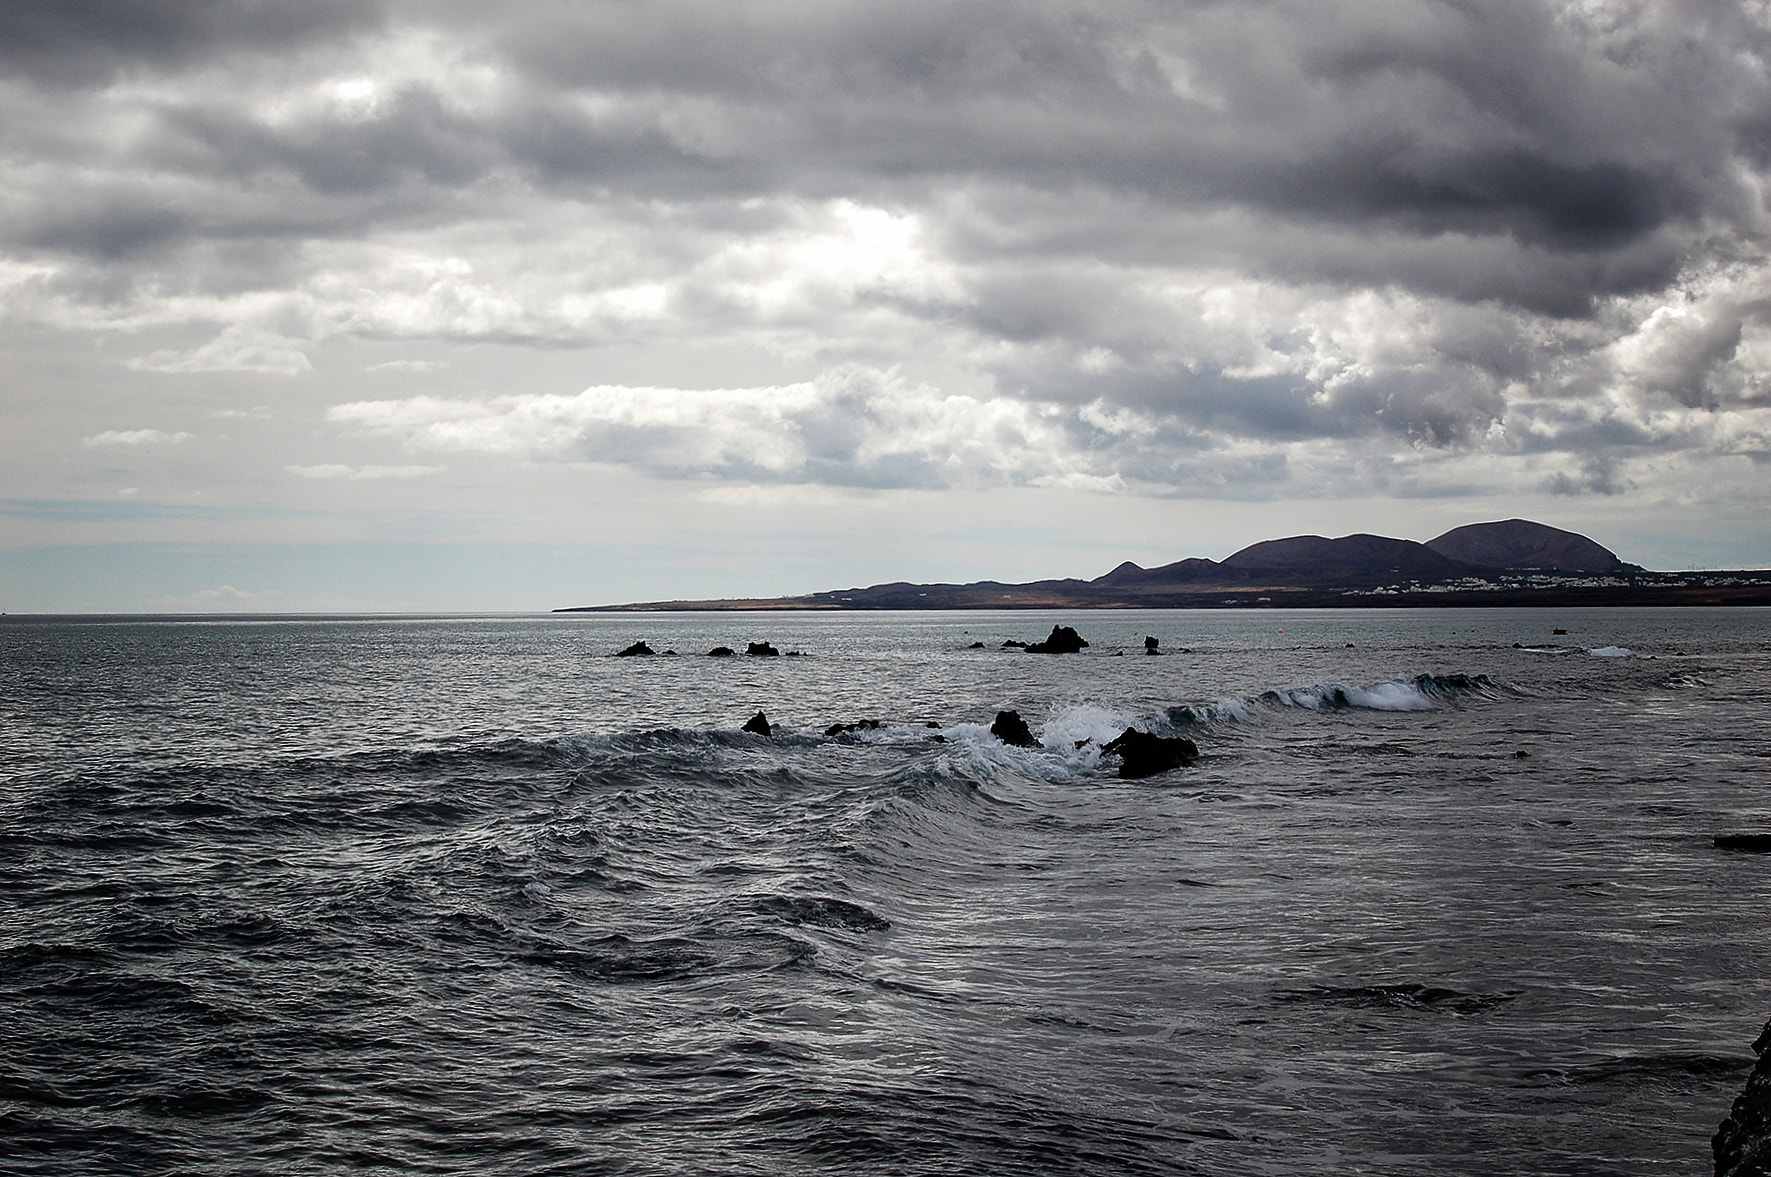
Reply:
x=383, y=305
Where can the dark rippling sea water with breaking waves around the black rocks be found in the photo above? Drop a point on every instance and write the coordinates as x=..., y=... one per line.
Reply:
x=470, y=896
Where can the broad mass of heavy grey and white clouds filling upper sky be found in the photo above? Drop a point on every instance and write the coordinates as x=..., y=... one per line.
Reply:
x=1175, y=250
